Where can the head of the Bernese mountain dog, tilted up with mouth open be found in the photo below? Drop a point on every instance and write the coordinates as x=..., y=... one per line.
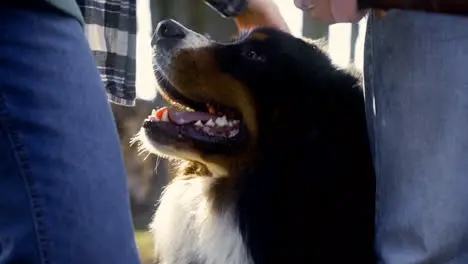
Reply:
x=239, y=98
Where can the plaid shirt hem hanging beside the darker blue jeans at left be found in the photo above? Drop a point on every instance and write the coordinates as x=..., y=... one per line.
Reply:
x=111, y=27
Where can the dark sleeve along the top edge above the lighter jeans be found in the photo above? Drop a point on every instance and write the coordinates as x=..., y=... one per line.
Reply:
x=459, y=7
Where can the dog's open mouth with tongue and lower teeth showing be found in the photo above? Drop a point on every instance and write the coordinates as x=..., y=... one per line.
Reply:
x=206, y=125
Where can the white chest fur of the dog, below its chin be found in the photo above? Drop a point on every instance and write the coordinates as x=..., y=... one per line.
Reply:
x=187, y=231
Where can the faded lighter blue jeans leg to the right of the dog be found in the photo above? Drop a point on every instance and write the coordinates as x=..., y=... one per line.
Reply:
x=416, y=80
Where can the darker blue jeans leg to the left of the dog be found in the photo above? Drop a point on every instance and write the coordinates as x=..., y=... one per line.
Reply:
x=63, y=196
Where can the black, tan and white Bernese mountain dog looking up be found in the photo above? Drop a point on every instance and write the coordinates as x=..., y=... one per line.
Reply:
x=276, y=158
